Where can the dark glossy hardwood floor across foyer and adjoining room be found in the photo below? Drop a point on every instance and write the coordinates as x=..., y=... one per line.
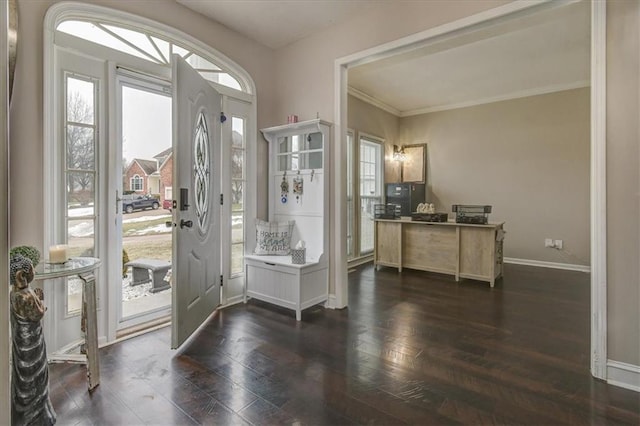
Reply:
x=412, y=348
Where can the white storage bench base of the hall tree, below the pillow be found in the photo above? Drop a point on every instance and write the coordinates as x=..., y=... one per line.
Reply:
x=276, y=280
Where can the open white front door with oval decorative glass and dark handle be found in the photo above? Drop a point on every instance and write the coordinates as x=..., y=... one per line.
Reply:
x=196, y=187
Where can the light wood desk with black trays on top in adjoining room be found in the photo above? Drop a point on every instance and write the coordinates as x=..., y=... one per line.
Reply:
x=462, y=250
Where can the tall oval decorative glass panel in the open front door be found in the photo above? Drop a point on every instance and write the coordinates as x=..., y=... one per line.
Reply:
x=201, y=171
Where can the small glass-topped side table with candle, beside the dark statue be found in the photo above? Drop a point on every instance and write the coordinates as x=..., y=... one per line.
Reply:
x=83, y=267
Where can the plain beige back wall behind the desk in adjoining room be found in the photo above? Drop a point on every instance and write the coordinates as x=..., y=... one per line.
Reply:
x=528, y=158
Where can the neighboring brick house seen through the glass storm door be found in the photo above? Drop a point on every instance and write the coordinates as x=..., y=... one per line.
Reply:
x=153, y=177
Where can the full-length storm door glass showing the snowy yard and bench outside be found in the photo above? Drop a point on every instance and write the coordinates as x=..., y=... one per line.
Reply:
x=147, y=173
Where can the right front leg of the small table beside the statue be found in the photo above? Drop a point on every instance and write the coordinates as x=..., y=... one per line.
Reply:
x=90, y=322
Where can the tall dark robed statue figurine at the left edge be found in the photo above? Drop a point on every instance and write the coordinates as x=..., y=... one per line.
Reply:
x=30, y=403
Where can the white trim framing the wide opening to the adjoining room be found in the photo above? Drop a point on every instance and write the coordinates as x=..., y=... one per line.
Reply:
x=598, y=264
